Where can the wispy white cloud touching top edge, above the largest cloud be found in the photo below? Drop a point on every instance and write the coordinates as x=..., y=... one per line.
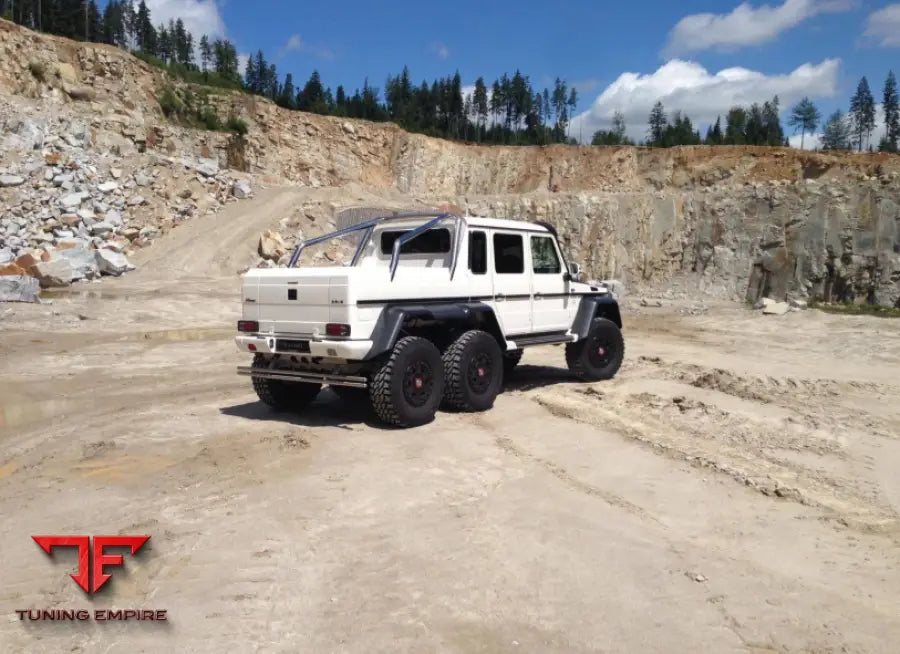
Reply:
x=745, y=25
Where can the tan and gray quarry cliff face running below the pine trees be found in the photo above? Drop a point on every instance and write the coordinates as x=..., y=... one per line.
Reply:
x=736, y=222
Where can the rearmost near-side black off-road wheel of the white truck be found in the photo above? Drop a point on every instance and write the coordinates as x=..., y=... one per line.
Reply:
x=396, y=397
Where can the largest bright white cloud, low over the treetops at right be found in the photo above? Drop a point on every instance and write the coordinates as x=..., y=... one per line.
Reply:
x=703, y=96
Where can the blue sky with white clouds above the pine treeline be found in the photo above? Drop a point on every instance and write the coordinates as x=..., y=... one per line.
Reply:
x=620, y=55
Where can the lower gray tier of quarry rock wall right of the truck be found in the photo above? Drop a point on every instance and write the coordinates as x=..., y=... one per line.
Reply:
x=750, y=241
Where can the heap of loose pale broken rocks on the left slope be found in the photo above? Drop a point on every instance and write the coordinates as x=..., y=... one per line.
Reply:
x=70, y=211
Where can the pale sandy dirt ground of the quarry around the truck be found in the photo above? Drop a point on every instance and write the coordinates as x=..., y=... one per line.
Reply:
x=734, y=489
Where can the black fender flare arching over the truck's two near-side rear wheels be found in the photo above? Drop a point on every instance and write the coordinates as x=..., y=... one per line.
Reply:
x=387, y=328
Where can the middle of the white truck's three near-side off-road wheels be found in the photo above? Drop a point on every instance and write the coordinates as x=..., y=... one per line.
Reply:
x=473, y=369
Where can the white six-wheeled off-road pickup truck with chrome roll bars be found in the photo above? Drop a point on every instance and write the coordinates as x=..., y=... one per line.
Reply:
x=432, y=311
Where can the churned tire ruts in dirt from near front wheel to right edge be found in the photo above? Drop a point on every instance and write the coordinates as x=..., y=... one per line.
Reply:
x=709, y=437
